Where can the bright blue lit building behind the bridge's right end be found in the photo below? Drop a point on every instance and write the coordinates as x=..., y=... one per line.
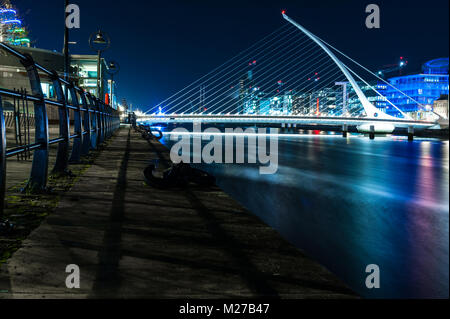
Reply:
x=424, y=88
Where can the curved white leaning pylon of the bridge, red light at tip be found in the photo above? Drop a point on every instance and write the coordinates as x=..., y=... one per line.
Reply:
x=369, y=108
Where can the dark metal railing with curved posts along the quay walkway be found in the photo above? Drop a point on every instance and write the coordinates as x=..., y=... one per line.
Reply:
x=93, y=122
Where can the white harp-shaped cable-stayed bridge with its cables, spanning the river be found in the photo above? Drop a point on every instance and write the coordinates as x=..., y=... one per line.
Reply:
x=290, y=77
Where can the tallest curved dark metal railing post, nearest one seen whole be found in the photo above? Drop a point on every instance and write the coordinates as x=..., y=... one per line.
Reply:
x=39, y=168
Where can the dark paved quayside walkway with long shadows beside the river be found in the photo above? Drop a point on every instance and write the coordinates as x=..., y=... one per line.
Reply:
x=130, y=241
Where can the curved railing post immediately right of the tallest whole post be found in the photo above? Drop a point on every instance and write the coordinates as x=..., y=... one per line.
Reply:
x=62, y=156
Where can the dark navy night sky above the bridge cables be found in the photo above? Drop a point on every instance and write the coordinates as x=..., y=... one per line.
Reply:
x=162, y=46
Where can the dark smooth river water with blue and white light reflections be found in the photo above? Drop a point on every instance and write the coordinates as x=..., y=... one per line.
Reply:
x=353, y=202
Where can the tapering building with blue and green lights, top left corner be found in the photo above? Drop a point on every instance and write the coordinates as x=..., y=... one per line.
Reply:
x=12, y=30
